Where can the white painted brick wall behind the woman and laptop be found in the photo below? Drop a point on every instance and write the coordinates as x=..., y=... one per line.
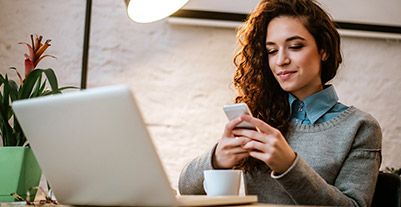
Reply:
x=181, y=74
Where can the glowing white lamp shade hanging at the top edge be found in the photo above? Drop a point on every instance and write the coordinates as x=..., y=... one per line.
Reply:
x=145, y=11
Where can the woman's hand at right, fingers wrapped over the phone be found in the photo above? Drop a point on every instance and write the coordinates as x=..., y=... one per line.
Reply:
x=267, y=145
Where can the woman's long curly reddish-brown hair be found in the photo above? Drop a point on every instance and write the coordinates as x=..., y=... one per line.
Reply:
x=254, y=80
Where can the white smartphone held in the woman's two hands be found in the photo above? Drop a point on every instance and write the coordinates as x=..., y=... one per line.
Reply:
x=233, y=111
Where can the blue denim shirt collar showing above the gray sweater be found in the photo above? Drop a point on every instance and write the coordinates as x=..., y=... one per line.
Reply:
x=317, y=108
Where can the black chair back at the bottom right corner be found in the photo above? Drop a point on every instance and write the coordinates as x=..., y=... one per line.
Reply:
x=388, y=191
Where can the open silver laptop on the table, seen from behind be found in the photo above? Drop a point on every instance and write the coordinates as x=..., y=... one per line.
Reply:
x=94, y=149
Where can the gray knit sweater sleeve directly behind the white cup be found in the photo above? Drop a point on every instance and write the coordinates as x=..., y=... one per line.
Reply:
x=191, y=178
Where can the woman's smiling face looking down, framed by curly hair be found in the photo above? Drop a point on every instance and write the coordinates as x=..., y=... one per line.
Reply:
x=293, y=56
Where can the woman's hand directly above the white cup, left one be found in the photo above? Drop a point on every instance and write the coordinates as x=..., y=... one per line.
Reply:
x=229, y=151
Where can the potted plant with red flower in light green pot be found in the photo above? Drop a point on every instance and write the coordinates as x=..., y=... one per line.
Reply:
x=20, y=172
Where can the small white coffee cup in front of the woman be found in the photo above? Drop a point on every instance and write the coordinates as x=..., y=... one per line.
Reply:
x=221, y=182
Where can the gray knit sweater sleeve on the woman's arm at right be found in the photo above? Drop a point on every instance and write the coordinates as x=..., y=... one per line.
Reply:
x=356, y=180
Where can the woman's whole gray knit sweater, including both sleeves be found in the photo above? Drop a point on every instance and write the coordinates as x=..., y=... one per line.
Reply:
x=337, y=164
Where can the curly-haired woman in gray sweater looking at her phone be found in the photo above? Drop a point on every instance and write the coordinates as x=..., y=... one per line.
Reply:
x=310, y=148
